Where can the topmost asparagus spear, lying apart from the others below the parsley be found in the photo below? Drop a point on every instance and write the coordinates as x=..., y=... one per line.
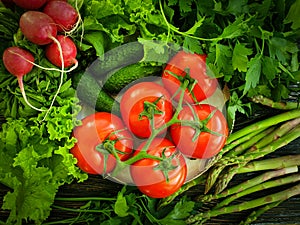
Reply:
x=276, y=105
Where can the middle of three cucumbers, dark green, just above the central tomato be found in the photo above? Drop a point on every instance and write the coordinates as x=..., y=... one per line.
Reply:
x=116, y=80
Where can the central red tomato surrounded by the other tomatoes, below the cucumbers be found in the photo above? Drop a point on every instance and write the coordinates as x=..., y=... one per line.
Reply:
x=145, y=102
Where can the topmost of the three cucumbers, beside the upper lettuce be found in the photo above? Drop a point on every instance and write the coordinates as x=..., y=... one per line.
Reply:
x=120, y=56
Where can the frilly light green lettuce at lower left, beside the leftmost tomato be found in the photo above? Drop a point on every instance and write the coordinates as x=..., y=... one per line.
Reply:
x=37, y=161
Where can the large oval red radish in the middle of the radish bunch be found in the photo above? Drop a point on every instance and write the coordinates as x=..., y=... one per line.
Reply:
x=38, y=27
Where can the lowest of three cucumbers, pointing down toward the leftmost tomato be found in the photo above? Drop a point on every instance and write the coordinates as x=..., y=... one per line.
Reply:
x=90, y=92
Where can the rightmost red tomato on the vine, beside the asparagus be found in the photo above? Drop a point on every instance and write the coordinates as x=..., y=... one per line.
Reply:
x=202, y=131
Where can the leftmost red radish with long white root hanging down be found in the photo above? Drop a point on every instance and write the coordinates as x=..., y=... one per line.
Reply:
x=19, y=62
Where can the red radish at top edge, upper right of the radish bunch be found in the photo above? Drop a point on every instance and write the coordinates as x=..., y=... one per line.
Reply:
x=63, y=14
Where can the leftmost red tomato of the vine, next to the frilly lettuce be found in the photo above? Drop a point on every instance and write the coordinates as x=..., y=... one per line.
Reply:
x=101, y=128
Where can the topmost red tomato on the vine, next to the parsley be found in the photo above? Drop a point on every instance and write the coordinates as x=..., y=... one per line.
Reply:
x=192, y=67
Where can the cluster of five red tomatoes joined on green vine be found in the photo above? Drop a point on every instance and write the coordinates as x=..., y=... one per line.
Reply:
x=161, y=124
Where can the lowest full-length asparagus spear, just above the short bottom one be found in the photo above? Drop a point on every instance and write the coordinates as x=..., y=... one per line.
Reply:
x=279, y=196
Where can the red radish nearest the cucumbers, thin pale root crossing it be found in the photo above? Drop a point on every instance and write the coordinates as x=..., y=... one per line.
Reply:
x=69, y=51
